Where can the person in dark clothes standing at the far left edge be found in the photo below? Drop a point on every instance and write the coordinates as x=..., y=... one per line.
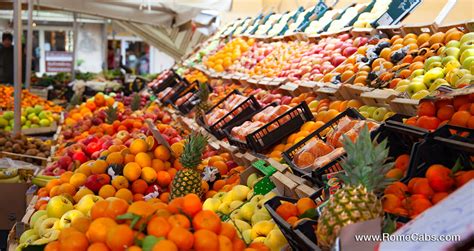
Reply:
x=6, y=59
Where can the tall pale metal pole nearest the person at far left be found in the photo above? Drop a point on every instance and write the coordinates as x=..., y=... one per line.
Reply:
x=17, y=70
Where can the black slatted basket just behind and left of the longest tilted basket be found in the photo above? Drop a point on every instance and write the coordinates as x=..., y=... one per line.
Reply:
x=240, y=113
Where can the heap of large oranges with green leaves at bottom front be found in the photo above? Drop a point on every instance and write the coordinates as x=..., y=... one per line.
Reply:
x=179, y=225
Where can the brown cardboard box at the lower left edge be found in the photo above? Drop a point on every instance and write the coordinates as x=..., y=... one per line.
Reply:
x=13, y=201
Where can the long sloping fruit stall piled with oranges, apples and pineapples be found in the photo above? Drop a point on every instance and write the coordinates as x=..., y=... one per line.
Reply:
x=289, y=131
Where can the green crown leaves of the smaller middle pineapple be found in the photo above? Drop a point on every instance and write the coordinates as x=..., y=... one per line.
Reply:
x=193, y=148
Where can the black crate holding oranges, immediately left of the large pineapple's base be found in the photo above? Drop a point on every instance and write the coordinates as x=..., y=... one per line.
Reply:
x=293, y=239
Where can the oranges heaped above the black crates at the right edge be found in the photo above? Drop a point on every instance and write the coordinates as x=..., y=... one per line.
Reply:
x=458, y=111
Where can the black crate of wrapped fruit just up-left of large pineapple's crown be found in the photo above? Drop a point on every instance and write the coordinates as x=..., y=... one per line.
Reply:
x=333, y=166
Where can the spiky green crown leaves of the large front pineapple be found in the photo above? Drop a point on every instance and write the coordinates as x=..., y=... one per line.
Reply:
x=366, y=162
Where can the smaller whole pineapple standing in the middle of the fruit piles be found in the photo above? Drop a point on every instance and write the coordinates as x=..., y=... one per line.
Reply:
x=189, y=180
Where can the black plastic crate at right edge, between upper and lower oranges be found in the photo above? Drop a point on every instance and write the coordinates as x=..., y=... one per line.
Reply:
x=443, y=146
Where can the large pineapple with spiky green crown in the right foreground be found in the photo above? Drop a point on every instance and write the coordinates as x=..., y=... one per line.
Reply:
x=365, y=166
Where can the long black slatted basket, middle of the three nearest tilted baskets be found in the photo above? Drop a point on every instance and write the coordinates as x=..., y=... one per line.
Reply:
x=284, y=125
